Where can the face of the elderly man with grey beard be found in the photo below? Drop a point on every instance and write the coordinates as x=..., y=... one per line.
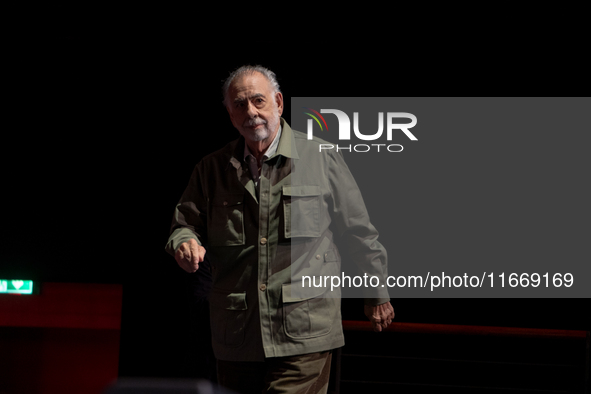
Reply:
x=253, y=107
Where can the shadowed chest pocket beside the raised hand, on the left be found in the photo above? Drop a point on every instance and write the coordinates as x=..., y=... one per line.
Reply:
x=226, y=220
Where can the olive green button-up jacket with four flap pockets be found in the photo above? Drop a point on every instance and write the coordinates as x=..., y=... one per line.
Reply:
x=261, y=242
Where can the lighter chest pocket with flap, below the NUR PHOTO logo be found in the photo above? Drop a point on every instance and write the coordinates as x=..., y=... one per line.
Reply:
x=301, y=209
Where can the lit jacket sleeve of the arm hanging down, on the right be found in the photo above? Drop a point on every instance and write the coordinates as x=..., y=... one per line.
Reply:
x=353, y=227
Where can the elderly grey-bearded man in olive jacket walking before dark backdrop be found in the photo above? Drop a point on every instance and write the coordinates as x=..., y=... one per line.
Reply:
x=264, y=208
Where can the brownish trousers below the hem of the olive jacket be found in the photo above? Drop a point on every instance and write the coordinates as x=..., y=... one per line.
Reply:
x=302, y=374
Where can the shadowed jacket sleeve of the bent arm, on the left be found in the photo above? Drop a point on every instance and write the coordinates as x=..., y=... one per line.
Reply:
x=190, y=215
